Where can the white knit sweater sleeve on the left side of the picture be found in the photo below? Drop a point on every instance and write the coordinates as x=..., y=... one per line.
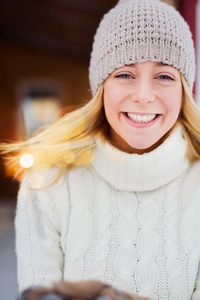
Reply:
x=41, y=216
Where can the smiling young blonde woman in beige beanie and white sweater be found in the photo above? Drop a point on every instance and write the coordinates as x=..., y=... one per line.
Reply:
x=118, y=196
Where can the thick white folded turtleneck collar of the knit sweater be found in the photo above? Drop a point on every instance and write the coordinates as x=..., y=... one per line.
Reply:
x=134, y=172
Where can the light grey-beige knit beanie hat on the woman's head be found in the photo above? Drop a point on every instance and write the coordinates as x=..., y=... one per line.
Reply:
x=139, y=31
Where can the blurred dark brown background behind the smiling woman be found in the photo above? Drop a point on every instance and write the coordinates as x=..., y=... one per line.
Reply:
x=44, y=57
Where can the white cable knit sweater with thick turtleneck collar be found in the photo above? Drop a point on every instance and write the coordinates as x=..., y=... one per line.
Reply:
x=130, y=220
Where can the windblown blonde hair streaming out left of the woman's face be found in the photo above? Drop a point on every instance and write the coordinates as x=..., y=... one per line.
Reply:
x=68, y=142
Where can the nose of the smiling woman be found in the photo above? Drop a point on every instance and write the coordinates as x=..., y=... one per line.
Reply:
x=143, y=92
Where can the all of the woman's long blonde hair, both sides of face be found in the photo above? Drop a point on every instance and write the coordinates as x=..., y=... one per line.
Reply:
x=71, y=140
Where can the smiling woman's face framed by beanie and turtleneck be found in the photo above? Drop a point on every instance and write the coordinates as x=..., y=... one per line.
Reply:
x=142, y=103
